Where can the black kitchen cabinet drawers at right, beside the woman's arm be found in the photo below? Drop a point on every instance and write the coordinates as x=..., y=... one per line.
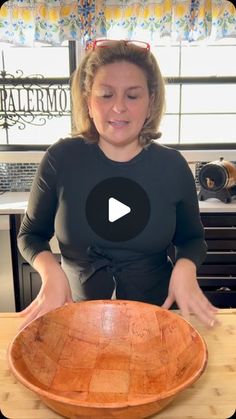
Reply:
x=217, y=275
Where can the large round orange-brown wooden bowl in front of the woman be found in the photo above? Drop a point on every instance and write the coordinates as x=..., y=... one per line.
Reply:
x=108, y=358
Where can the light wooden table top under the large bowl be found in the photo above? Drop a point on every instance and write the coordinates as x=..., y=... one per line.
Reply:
x=212, y=396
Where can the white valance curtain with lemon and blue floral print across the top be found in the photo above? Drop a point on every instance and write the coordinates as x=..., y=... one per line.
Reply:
x=24, y=22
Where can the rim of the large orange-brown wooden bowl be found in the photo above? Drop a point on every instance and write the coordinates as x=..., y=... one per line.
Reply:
x=48, y=395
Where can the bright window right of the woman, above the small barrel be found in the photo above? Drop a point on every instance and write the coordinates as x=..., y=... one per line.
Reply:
x=201, y=93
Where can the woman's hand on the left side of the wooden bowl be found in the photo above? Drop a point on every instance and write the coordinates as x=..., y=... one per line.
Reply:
x=55, y=292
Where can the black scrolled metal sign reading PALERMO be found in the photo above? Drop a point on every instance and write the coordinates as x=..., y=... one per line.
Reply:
x=31, y=100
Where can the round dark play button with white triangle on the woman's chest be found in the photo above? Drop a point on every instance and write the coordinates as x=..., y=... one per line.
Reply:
x=117, y=209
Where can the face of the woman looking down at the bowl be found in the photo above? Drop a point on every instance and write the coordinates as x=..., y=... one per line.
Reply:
x=119, y=102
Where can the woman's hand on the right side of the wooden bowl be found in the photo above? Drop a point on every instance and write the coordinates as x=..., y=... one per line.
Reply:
x=186, y=292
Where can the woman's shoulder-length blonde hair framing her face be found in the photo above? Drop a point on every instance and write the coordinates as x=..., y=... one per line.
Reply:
x=82, y=81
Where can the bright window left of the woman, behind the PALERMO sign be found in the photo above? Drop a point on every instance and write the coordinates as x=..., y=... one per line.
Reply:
x=34, y=94
